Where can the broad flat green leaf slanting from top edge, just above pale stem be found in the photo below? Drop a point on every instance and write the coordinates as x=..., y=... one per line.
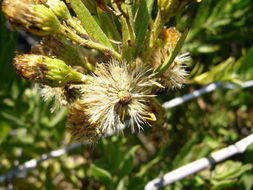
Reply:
x=89, y=23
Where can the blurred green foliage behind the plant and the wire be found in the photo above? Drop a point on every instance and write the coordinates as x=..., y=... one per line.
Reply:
x=220, y=43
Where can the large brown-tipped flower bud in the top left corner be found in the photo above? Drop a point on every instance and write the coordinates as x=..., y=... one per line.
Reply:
x=31, y=16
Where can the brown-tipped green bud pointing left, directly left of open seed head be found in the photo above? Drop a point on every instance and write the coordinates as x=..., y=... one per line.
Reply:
x=45, y=70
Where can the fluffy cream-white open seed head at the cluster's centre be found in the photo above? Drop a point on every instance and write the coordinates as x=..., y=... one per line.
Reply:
x=118, y=95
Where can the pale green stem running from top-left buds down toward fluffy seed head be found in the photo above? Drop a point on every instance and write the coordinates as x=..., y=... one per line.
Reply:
x=87, y=43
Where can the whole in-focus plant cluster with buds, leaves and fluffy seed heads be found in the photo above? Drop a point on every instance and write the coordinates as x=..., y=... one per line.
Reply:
x=106, y=72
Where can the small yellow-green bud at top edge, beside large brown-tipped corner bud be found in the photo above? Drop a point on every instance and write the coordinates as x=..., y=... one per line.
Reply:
x=59, y=8
